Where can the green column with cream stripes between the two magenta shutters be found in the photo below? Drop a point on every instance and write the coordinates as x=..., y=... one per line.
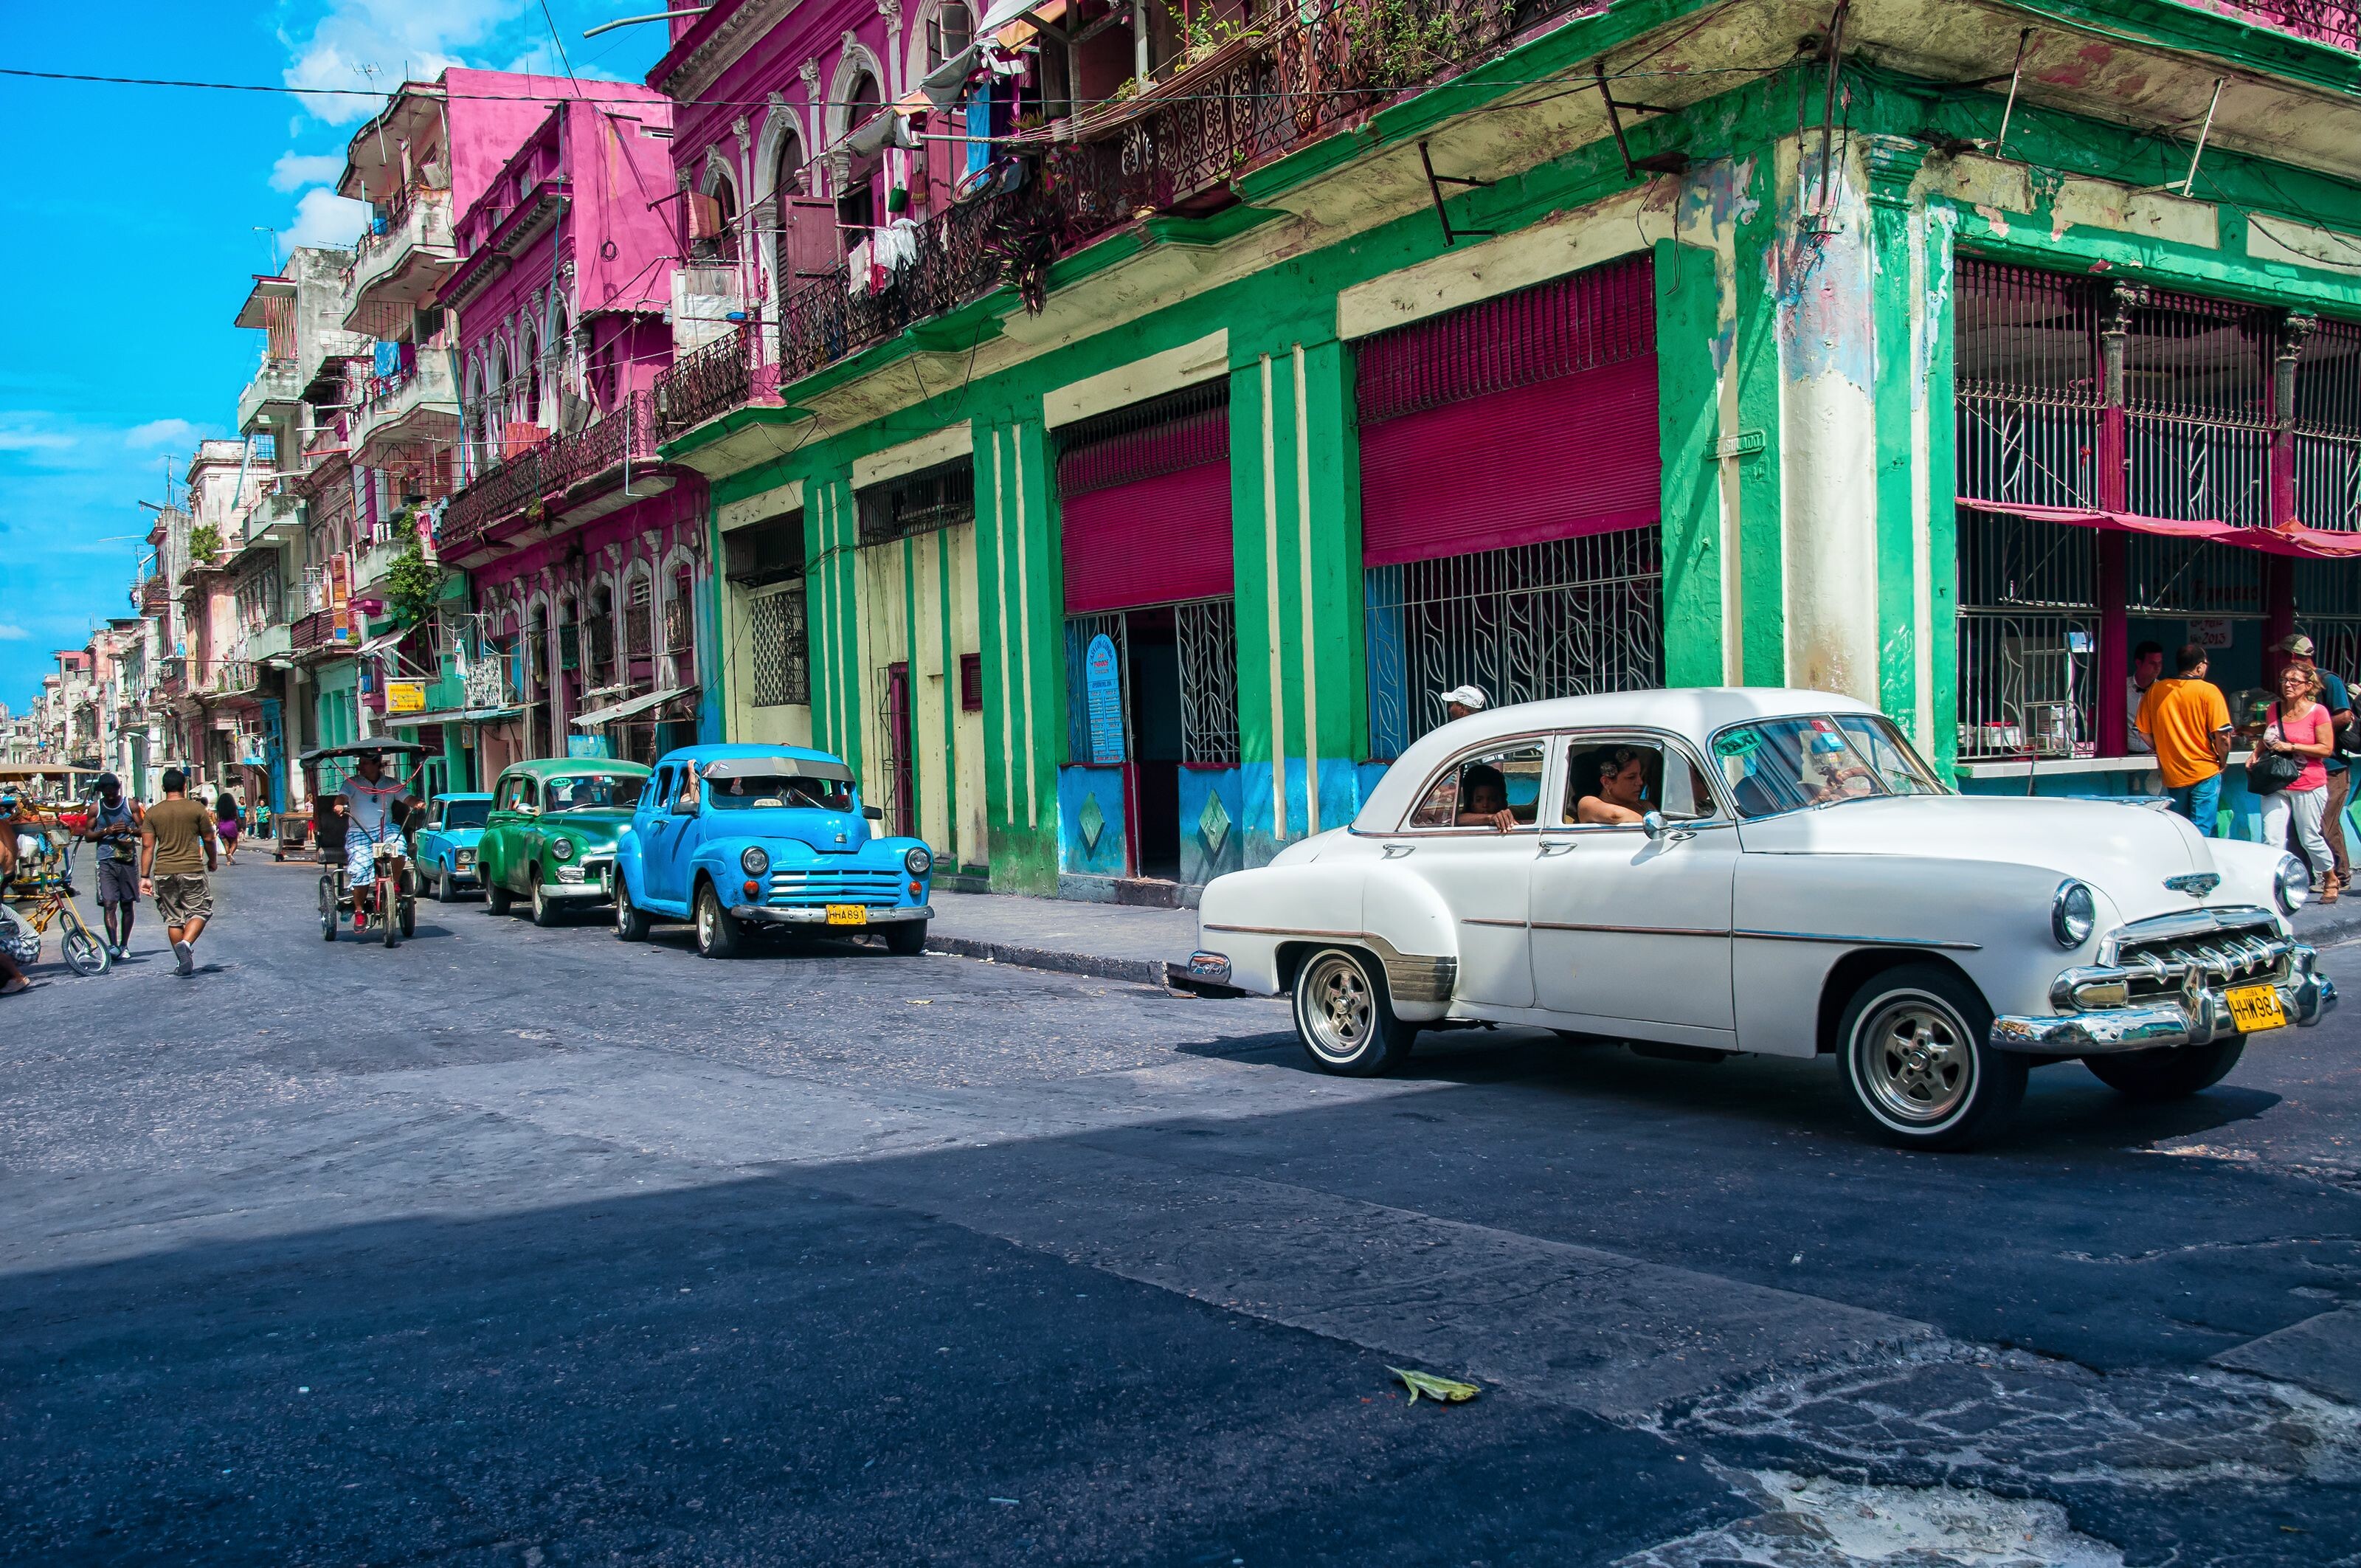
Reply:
x=1295, y=535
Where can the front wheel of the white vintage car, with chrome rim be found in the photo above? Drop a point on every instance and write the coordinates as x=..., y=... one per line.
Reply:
x=1918, y=1061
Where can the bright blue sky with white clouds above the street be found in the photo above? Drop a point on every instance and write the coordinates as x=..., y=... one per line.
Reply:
x=140, y=218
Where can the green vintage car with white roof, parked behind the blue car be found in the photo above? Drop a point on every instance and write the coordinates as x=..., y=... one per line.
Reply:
x=551, y=832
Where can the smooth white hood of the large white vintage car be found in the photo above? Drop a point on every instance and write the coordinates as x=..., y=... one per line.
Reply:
x=2126, y=851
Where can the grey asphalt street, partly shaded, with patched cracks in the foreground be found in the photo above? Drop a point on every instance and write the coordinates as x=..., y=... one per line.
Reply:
x=532, y=1248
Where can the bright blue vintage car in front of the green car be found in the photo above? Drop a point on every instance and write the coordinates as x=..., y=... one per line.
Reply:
x=733, y=837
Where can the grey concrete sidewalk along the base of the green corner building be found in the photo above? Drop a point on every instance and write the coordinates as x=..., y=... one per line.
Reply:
x=1134, y=943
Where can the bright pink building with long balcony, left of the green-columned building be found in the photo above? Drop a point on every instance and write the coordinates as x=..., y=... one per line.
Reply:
x=587, y=556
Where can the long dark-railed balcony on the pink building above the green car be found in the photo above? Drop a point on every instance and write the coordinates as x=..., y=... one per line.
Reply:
x=565, y=481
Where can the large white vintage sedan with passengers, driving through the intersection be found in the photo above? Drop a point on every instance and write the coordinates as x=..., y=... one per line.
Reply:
x=1751, y=870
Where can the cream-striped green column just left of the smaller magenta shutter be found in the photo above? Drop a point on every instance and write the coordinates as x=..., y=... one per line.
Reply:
x=1021, y=596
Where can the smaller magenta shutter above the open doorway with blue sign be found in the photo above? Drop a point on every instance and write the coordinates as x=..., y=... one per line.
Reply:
x=1146, y=504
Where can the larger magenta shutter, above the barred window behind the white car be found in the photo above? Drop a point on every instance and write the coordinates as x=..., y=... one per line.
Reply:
x=1512, y=422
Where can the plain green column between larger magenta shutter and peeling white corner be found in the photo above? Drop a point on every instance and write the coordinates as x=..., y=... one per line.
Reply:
x=1689, y=346
